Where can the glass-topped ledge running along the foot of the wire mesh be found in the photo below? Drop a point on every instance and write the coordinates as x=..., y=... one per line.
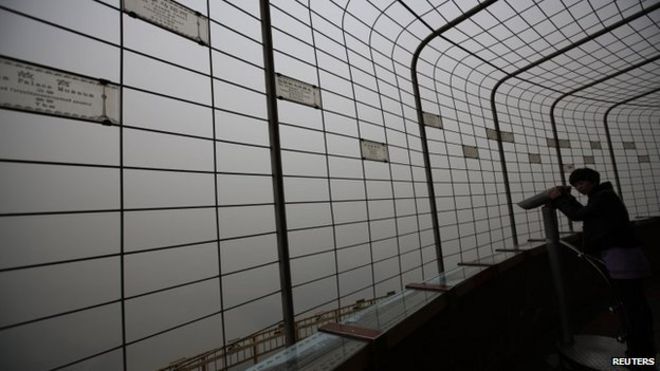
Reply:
x=342, y=345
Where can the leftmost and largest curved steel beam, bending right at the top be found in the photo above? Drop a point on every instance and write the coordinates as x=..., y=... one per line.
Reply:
x=420, y=121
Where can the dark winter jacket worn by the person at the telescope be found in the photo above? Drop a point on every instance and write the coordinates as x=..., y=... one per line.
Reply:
x=605, y=219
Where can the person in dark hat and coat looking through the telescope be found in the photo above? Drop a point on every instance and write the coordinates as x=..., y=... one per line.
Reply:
x=609, y=235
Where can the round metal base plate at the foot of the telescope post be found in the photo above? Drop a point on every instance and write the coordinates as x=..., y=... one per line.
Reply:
x=593, y=352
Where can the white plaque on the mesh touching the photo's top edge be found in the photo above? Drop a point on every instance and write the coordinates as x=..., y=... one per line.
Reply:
x=172, y=16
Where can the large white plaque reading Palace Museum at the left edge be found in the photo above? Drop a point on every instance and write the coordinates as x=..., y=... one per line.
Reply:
x=27, y=87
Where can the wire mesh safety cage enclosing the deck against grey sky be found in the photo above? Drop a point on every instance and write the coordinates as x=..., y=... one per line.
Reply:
x=156, y=238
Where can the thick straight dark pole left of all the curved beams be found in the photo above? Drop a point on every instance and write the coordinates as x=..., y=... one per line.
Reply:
x=278, y=182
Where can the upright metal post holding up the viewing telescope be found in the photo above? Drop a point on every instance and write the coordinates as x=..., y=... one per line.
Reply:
x=552, y=244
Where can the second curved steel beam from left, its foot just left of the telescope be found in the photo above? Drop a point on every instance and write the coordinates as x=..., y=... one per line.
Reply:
x=563, y=50
